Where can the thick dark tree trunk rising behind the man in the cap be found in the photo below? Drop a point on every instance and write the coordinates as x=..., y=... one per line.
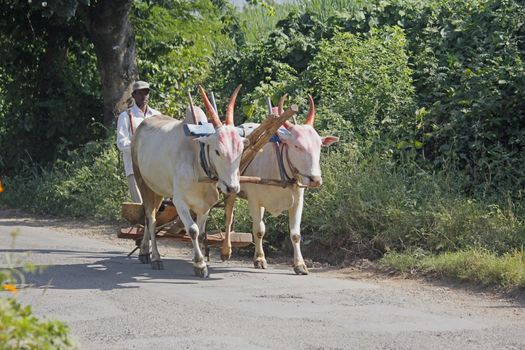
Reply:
x=108, y=25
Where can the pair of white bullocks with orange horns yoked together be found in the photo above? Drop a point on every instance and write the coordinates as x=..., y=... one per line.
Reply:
x=166, y=163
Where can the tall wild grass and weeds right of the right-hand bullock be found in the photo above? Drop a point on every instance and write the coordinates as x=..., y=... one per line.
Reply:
x=381, y=205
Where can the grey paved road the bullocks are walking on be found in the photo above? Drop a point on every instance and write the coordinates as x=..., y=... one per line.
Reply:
x=113, y=302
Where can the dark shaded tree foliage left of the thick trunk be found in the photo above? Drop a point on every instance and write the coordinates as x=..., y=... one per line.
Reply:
x=49, y=86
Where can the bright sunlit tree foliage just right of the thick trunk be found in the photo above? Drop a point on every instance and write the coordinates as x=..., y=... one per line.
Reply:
x=175, y=45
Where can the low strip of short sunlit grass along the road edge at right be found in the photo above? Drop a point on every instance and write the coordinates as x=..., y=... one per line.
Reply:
x=473, y=265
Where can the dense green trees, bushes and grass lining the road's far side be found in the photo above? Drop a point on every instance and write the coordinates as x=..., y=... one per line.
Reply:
x=428, y=98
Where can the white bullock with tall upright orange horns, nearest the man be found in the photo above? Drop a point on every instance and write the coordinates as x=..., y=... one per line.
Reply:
x=167, y=163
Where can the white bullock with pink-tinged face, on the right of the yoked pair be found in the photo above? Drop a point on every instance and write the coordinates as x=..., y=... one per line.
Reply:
x=300, y=148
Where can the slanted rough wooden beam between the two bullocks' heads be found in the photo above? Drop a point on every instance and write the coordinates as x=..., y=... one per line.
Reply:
x=261, y=136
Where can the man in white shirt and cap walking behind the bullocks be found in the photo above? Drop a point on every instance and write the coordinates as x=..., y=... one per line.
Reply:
x=127, y=123
